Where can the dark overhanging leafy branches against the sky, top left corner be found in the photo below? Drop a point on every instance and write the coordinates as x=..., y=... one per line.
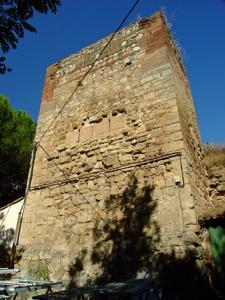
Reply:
x=14, y=16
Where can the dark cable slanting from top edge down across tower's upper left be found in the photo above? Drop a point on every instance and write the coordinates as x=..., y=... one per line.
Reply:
x=89, y=70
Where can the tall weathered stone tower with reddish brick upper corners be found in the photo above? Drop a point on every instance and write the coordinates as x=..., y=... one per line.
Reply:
x=121, y=178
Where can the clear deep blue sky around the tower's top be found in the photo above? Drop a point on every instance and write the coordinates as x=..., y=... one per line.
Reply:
x=198, y=26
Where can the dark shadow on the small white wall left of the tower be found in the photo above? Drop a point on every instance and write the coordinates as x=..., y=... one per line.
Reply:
x=6, y=241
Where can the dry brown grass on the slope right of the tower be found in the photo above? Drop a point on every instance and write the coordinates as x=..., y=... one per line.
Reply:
x=214, y=155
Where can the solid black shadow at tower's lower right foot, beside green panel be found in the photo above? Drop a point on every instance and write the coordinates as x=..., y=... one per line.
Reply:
x=184, y=278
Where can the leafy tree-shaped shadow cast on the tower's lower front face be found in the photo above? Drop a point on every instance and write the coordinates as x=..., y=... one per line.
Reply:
x=124, y=245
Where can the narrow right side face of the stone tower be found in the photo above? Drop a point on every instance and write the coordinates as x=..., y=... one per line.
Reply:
x=194, y=153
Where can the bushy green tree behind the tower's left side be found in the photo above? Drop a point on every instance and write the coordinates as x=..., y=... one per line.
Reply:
x=16, y=137
